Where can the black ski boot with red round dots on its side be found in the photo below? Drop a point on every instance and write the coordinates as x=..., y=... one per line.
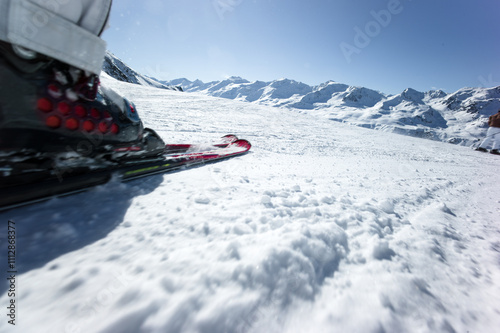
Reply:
x=49, y=109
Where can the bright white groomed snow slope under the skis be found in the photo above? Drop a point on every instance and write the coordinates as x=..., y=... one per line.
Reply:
x=322, y=227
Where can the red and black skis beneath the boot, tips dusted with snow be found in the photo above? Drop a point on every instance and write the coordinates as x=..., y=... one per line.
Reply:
x=37, y=185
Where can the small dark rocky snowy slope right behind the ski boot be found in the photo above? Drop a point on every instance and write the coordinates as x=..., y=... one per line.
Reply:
x=117, y=69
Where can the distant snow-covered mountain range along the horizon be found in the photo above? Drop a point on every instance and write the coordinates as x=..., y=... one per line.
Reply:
x=459, y=118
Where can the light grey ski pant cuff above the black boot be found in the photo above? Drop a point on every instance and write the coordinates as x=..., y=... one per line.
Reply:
x=67, y=30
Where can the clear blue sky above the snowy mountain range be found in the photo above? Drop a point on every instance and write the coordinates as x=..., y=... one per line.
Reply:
x=386, y=45
